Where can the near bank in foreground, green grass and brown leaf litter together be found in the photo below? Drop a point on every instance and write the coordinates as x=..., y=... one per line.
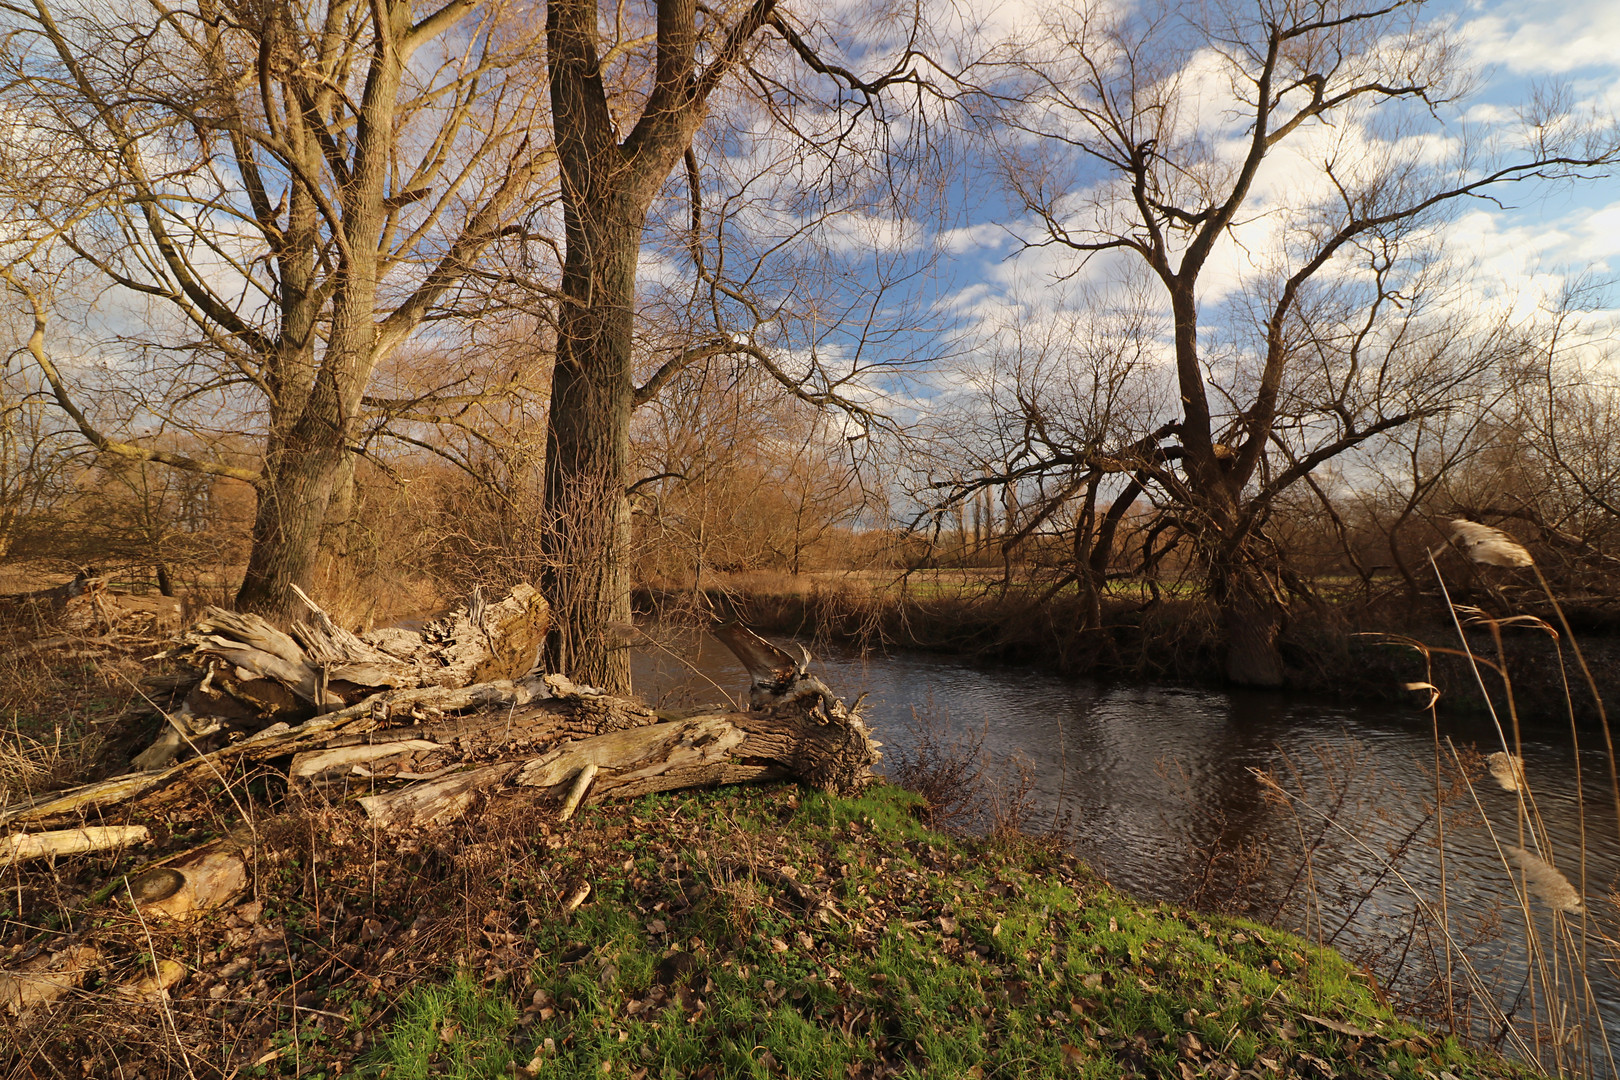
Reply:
x=733, y=933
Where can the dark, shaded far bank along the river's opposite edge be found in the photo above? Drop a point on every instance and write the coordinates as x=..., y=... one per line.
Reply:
x=1344, y=650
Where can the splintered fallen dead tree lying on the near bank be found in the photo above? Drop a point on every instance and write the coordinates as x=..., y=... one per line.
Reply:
x=417, y=726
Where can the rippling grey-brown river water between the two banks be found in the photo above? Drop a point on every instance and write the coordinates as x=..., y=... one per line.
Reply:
x=1148, y=781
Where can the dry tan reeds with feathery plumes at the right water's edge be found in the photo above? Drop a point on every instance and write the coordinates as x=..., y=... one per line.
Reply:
x=1556, y=1019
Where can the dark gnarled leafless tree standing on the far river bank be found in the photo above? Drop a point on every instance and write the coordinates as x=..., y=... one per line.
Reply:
x=1289, y=130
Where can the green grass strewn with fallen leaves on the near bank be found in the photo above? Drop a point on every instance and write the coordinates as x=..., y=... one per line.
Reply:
x=932, y=958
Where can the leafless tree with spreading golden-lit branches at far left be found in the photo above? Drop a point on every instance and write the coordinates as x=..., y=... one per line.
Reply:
x=289, y=189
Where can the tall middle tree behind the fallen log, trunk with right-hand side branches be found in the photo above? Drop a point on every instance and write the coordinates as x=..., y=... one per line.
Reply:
x=629, y=93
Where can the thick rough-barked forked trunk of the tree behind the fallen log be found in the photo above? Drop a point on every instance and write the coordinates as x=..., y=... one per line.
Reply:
x=608, y=185
